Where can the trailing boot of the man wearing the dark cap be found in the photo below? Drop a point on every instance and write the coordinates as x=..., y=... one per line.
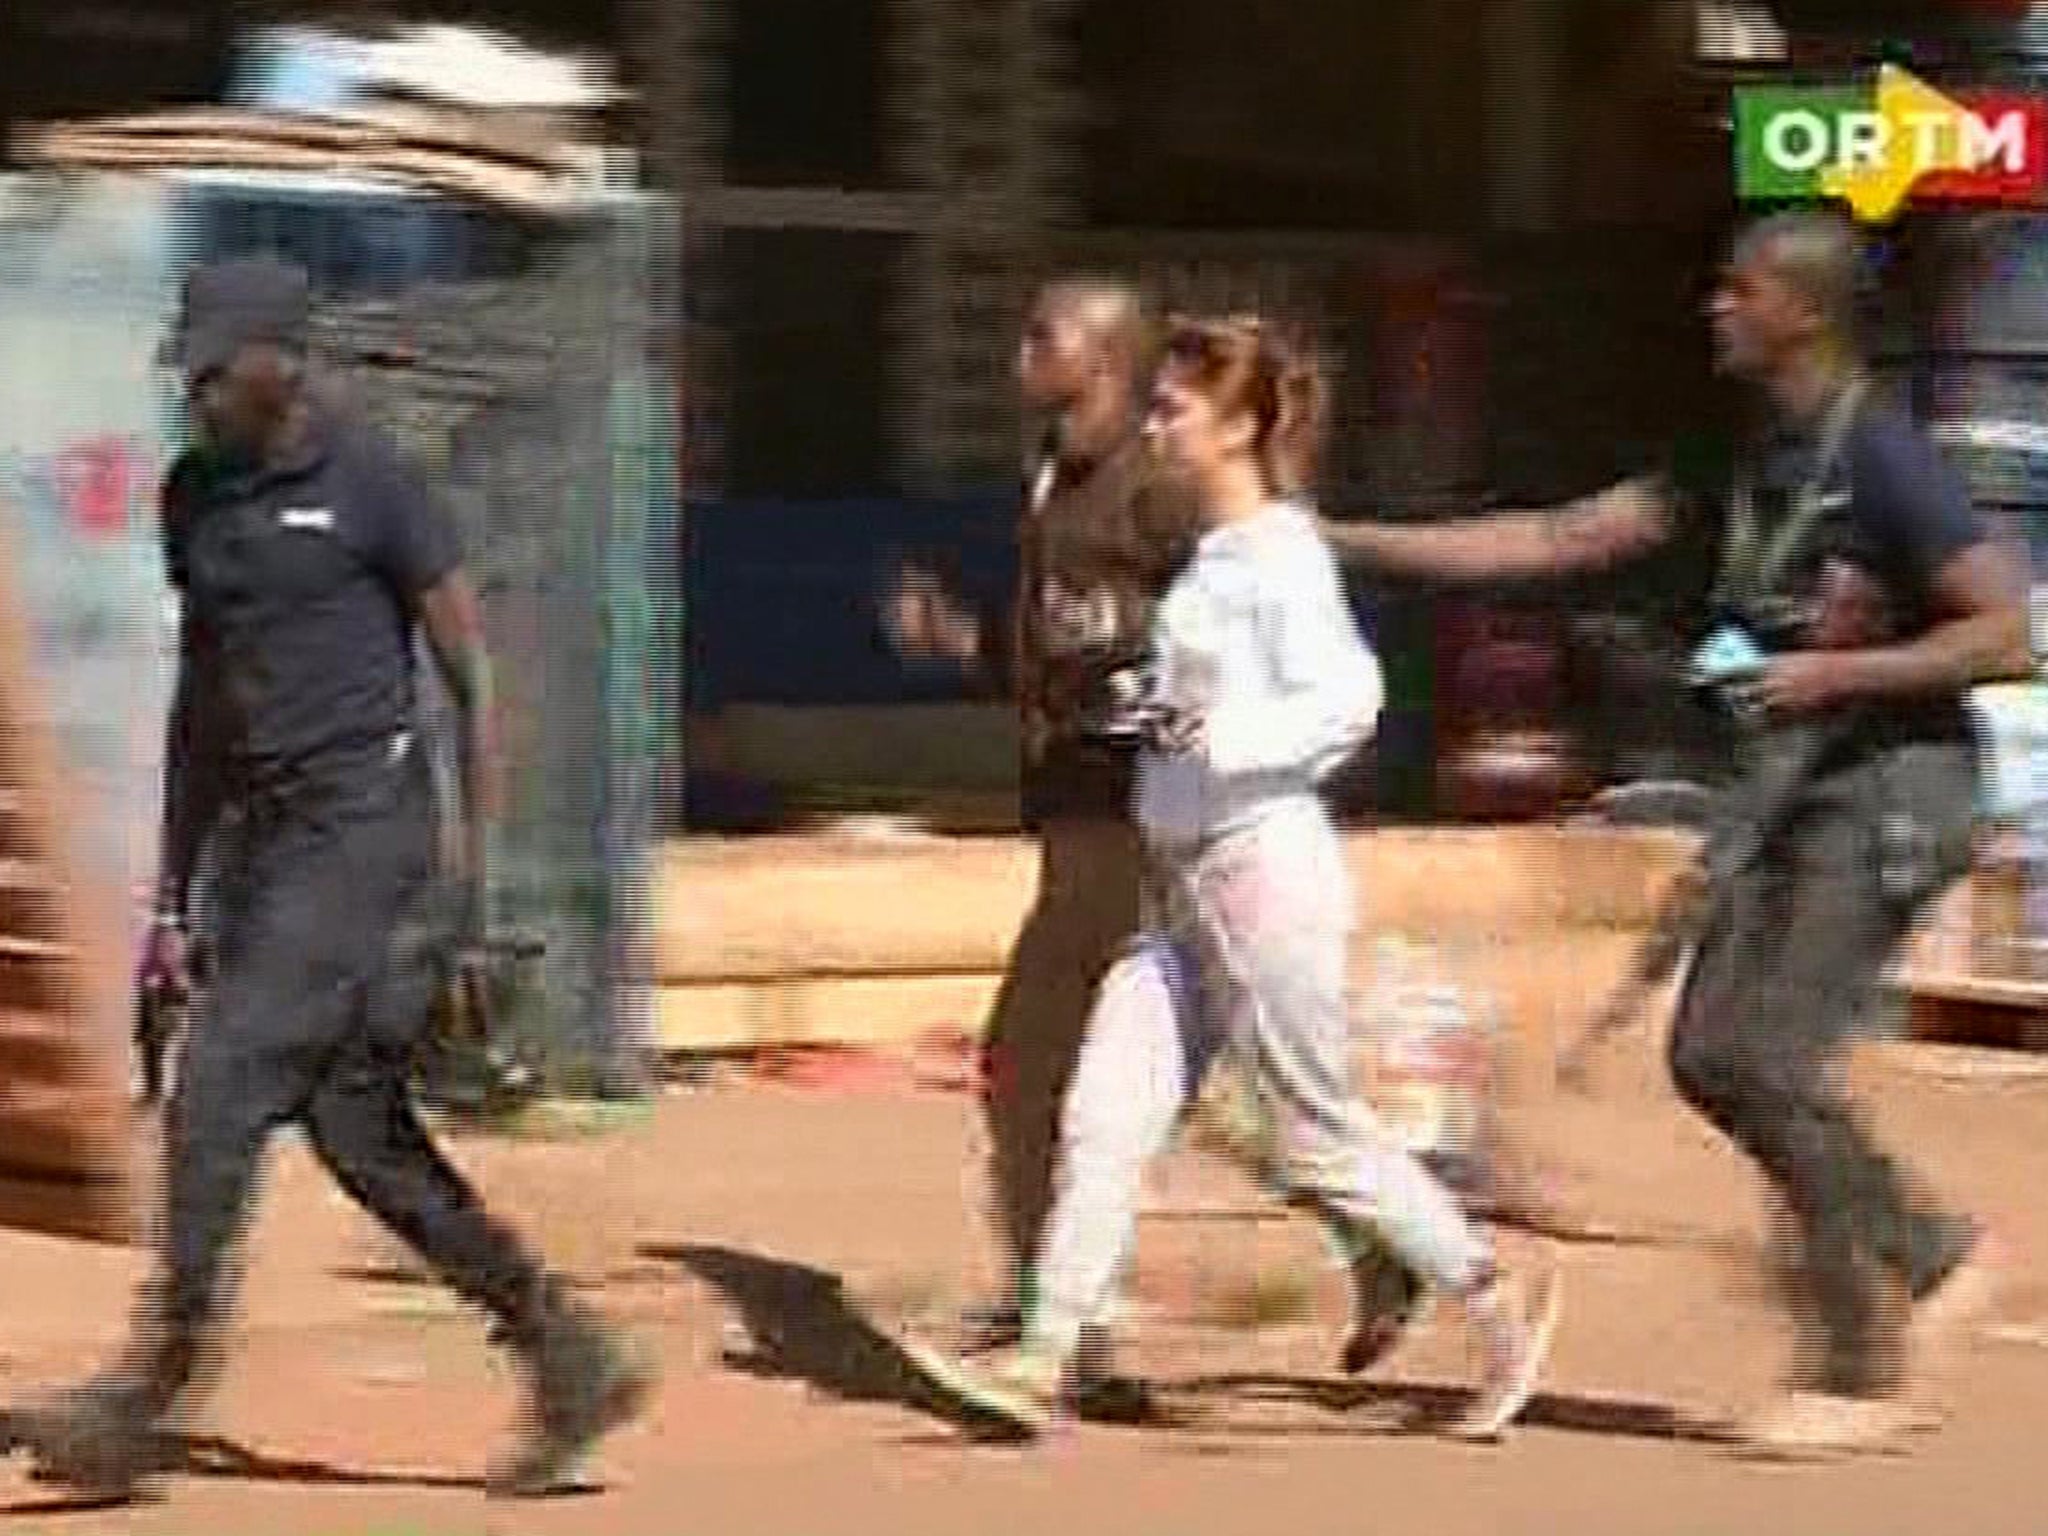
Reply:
x=583, y=1383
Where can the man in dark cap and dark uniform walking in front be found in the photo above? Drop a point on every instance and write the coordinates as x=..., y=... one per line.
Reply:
x=306, y=556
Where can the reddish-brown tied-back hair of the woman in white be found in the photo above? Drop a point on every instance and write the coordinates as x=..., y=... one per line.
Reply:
x=1244, y=364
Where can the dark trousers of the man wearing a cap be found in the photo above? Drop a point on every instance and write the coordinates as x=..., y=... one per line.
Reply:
x=314, y=1019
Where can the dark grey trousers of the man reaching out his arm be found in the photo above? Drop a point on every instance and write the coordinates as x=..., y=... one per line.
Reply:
x=1791, y=964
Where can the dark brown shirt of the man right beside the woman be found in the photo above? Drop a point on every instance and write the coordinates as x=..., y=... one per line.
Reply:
x=1095, y=560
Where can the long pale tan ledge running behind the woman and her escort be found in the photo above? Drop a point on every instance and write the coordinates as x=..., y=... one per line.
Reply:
x=820, y=939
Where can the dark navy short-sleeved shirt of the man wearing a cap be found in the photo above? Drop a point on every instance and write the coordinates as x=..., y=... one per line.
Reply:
x=300, y=585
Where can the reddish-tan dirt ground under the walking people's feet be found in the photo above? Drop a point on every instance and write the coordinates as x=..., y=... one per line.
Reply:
x=753, y=1234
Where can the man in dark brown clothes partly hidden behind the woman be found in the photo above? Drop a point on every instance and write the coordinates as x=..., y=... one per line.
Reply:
x=1099, y=544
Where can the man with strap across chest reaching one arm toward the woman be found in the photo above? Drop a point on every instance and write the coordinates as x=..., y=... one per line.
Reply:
x=1854, y=804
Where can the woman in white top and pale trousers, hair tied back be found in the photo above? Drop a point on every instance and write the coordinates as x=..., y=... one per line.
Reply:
x=1263, y=689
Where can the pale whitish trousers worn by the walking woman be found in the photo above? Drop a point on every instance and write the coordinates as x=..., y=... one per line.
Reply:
x=1242, y=962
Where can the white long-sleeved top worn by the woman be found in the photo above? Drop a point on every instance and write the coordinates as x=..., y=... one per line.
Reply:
x=1256, y=640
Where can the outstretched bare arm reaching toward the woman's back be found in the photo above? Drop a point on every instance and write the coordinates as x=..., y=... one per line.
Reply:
x=1588, y=536
